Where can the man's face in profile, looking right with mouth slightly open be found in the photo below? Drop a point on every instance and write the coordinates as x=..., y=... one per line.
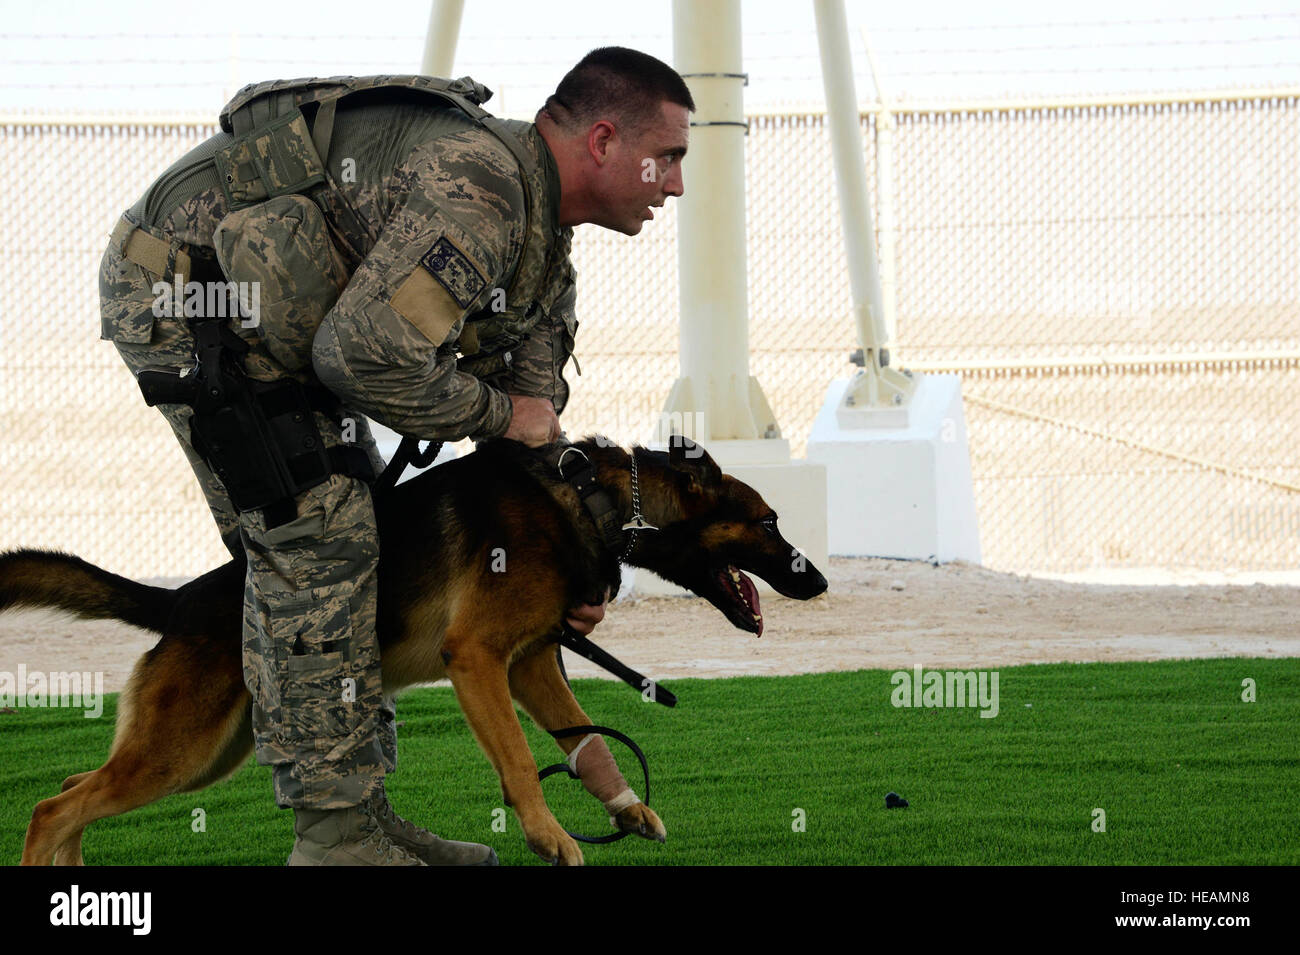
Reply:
x=643, y=170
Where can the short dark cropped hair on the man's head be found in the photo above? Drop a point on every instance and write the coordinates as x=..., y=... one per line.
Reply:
x=618, y=84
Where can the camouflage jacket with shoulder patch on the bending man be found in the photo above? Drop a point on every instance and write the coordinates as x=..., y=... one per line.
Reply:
x=434, y=253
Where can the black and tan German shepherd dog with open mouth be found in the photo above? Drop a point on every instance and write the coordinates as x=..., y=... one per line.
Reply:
x=185, y=717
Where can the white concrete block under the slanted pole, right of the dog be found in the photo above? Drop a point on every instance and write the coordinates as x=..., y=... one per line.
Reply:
x=900, y=492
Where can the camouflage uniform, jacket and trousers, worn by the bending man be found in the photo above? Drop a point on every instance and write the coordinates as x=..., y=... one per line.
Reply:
x=430, y=218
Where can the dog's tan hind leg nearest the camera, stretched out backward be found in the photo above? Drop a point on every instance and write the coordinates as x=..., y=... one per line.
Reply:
x=183, y=724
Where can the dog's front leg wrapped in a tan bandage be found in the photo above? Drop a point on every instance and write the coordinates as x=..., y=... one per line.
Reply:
x=539, y=685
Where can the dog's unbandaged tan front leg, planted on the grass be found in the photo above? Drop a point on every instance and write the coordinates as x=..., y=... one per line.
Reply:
x=483, y=691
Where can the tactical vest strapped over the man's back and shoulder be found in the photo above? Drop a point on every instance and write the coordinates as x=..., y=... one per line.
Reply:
x=278, y=154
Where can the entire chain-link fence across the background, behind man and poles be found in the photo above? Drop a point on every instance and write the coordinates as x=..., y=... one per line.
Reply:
x=1116, y=284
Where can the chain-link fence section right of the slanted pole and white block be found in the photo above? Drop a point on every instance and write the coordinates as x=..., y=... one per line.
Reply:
x=1119, y=286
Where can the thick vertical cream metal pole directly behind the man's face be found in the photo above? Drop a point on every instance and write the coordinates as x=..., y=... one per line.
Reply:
x=714, y=323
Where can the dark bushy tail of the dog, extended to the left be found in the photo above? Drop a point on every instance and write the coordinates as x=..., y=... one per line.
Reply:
x=63, y=581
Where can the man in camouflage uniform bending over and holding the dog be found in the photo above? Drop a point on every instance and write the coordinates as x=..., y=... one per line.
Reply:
x=401, y=255
